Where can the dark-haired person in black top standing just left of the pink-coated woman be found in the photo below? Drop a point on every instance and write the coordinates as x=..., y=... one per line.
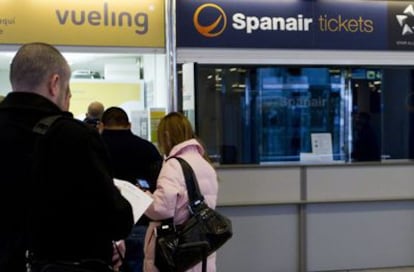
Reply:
x=132, y=158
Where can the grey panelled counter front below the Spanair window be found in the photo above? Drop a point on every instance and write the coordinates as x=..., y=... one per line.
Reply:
x=327, y=217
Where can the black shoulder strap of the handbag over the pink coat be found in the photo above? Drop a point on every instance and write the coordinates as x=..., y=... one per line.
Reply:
x=193, y=189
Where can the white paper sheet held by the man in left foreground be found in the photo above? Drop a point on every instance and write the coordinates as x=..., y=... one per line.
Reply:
x=136, y=197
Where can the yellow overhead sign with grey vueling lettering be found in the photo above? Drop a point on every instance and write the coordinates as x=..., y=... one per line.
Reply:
x=138, y=23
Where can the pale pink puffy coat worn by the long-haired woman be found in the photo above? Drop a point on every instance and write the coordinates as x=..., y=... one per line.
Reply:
x=171, y=199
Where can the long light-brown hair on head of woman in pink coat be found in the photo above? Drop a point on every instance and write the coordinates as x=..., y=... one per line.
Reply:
x=173, y=129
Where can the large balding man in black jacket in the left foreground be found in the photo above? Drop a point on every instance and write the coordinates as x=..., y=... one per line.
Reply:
x=57, y=196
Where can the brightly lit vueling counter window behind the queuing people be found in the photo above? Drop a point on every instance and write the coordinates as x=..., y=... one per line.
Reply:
x=134, y=81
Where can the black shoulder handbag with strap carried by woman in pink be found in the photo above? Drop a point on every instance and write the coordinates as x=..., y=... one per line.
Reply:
x=181, y=247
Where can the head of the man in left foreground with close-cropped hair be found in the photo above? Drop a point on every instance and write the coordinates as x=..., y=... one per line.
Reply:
x=40, y=68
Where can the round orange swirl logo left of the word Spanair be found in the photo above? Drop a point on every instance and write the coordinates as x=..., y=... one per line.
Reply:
x=218, y=24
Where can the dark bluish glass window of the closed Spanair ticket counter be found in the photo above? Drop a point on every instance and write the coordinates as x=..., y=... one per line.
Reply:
x=268, y=114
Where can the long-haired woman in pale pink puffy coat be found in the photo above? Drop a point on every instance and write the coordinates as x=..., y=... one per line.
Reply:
x=176, y=138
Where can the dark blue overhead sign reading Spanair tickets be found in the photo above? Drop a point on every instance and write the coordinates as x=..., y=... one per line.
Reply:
x=353, y=24
